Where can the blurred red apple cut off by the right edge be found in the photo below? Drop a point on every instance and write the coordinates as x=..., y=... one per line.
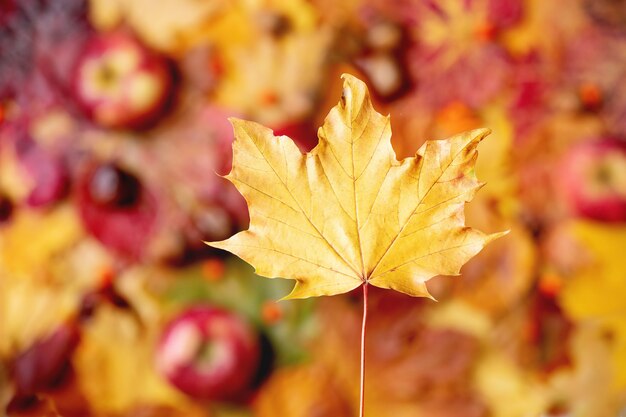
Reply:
x=593, y=178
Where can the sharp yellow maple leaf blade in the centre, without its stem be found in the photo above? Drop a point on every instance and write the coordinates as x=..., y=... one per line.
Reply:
x=348, y=212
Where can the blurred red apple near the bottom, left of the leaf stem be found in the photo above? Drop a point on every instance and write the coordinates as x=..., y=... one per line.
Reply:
x=209, y=353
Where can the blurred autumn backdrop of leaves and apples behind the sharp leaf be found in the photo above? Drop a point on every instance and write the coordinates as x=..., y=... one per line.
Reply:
x=113, y=125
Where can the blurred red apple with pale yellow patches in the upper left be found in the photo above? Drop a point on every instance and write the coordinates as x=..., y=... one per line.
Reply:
x=120, y=83
